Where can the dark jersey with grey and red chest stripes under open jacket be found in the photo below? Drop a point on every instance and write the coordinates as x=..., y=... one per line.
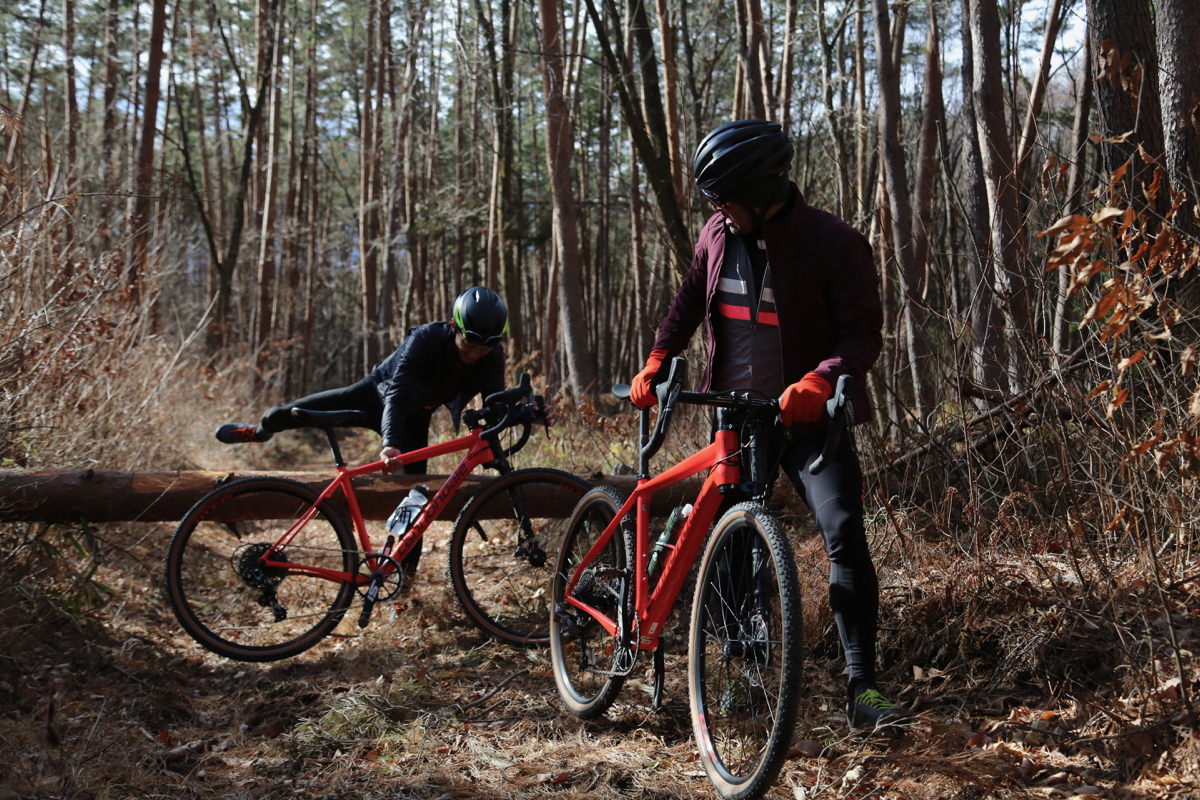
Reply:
x=746, y=326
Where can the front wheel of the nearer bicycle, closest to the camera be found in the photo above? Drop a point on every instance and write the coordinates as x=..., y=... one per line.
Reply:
x=746, y=653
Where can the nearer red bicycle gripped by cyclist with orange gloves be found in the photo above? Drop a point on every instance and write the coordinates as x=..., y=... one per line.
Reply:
x=745, y=652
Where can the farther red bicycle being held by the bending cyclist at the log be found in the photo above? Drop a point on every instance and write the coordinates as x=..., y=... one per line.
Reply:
x=265, y=568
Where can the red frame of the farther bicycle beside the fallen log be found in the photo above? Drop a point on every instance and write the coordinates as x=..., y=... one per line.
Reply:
x=479, y=453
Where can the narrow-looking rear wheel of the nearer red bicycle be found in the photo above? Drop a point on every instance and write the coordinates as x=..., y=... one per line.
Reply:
x=583, y=654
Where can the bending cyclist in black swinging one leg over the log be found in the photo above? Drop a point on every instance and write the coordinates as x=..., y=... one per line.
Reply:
x=439, y=364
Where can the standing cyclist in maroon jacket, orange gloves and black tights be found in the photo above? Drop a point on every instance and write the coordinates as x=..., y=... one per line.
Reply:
x=790, y=299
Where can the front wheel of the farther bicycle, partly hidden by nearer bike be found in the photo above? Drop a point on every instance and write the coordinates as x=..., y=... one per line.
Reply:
x=505, y=548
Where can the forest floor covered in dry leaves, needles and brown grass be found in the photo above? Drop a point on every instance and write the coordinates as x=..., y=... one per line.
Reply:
x=1046, y=675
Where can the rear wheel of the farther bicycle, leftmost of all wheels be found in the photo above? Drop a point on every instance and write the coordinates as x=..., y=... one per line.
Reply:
x=232, y=605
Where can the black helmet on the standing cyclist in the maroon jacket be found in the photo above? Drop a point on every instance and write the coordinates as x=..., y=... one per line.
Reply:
x=745, y=163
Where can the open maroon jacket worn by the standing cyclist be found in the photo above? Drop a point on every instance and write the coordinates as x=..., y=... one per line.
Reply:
x=827, y=297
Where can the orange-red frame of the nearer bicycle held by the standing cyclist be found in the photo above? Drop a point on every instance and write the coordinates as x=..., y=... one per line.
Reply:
x=722, y=458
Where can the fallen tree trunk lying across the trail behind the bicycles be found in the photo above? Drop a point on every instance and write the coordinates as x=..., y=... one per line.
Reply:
x=74, y=496
